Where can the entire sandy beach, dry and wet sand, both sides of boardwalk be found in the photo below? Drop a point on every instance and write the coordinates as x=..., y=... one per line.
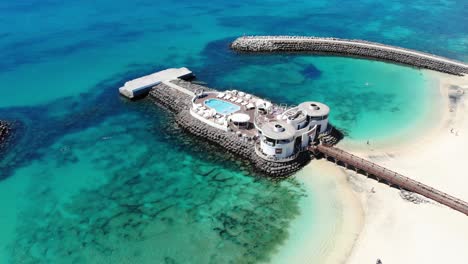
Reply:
x=373, y=220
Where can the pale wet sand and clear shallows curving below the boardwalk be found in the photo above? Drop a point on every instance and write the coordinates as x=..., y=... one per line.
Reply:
x=333, y=208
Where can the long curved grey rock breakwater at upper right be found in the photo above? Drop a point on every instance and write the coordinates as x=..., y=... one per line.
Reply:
x=346, y=47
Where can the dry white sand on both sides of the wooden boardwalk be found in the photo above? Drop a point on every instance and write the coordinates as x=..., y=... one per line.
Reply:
x=398, y=231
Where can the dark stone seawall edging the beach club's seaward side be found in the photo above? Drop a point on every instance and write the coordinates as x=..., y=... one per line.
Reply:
x=179, y=104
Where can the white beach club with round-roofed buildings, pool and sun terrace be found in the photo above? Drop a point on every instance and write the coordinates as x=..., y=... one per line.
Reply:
x=279, y=133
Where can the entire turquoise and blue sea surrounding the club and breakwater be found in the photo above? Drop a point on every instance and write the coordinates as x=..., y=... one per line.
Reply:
x=93, y=178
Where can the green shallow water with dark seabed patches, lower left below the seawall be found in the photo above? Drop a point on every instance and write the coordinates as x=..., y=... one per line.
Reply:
x=87, y=201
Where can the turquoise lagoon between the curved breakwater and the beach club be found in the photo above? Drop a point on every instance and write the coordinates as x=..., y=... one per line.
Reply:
x=368, y=99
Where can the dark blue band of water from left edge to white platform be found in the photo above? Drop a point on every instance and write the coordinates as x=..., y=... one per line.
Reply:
x=66, y=115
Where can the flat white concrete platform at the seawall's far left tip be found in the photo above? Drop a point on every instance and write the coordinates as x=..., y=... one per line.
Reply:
x=143, y=84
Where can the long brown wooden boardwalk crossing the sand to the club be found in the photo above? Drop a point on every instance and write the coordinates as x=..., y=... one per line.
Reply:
x=391, y=177
